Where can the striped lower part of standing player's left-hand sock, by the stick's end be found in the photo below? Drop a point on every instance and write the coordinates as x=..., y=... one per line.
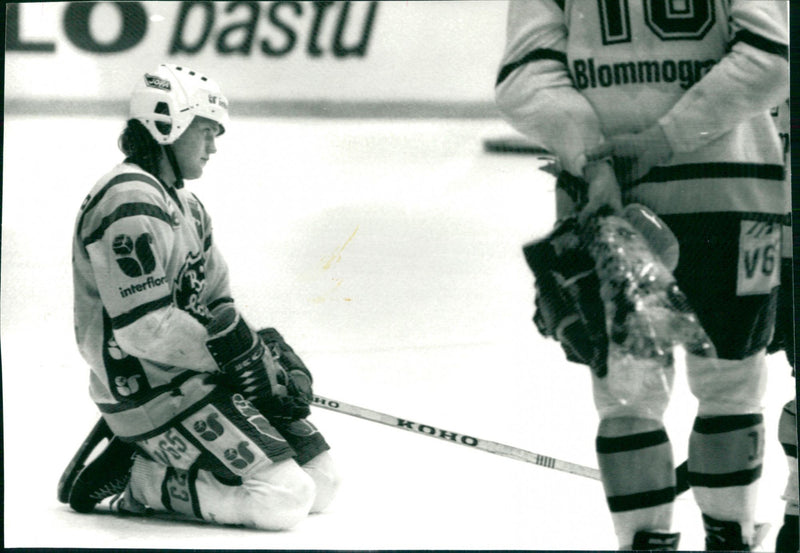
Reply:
x=639, y=499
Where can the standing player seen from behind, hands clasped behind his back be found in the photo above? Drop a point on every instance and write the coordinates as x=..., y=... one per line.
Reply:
x=666, y=104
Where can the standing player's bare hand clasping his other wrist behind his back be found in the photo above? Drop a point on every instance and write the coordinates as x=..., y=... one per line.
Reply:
x=636, y=153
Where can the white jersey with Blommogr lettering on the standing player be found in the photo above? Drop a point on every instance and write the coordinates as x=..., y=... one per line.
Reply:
x=577, y=71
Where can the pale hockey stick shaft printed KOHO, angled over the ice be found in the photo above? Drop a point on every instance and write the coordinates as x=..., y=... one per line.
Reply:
x=460, y=439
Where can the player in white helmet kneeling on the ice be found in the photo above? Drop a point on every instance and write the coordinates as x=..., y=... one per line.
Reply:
x=207, y=416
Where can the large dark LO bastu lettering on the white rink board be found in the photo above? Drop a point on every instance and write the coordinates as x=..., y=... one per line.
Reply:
x=274, y=29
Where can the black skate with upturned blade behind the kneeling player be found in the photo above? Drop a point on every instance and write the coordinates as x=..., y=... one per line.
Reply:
x=107, y=475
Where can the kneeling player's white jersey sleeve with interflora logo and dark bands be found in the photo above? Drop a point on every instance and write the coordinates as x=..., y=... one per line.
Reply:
x=127, y=235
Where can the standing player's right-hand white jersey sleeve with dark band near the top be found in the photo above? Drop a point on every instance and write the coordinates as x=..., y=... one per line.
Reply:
x=750, y=79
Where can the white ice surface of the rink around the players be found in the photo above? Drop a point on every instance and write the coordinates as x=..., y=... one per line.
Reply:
x=388, y=254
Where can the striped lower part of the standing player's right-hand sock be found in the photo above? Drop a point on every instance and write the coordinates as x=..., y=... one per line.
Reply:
x=725, y=462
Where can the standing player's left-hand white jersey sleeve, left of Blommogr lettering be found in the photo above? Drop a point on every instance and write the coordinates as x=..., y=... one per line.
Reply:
x=534, y=91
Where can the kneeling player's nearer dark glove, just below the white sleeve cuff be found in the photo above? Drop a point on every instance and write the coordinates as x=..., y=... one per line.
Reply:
x=241, y=356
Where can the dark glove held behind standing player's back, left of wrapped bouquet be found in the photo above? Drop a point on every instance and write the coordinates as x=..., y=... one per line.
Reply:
x=567, y=305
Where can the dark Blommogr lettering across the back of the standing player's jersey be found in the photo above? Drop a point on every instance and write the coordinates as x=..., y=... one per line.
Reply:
x=587, y=73
